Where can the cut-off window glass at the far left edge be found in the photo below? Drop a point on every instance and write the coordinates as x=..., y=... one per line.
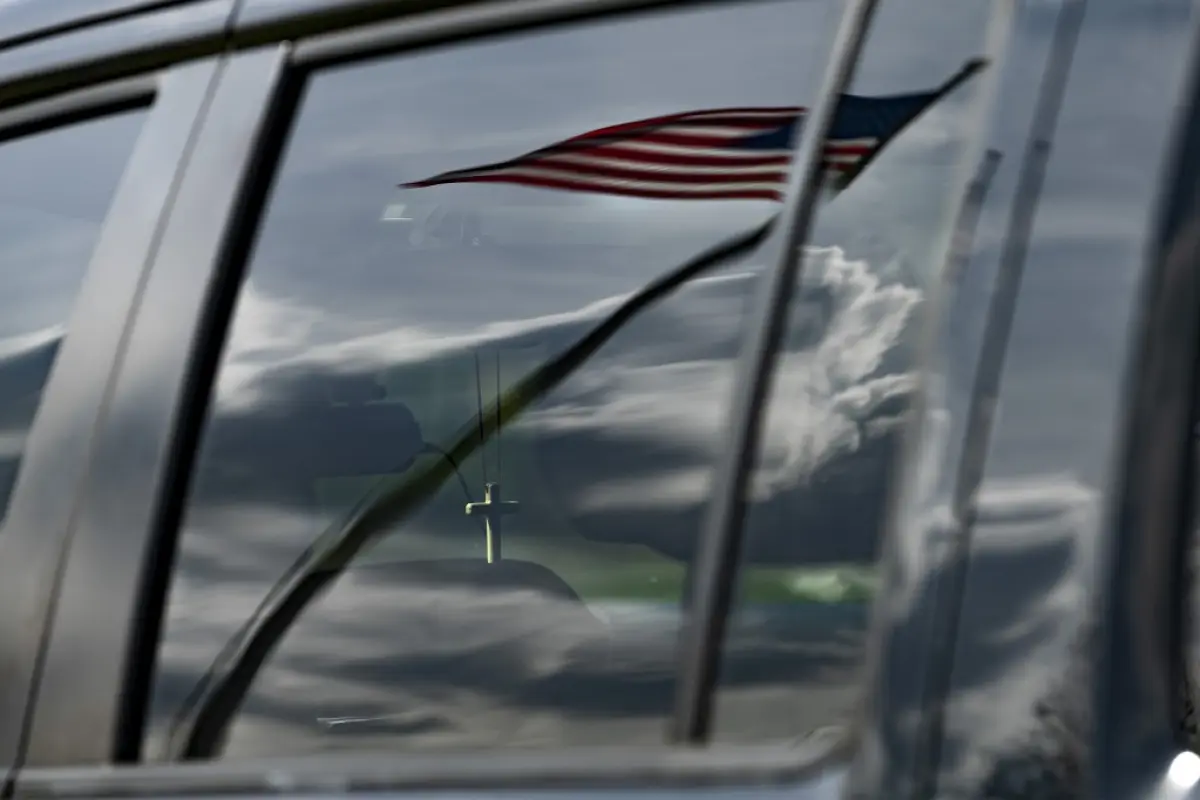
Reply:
x=56, y=189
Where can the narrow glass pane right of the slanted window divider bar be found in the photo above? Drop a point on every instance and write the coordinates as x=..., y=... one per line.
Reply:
x=844, y=384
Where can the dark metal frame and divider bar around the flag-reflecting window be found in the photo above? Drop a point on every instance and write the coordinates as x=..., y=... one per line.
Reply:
x=203, y=258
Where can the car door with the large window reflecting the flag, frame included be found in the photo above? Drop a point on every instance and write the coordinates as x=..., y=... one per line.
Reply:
x=309, y=584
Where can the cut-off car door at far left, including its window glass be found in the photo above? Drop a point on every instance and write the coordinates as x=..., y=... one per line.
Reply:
x=89, y=164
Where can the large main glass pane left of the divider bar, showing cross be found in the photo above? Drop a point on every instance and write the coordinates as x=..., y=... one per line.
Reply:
x=379, y=326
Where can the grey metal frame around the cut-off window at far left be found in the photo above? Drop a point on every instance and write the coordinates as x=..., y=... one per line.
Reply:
x=92, y=73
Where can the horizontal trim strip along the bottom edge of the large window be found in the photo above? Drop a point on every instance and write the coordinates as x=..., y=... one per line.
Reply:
x=793, y=773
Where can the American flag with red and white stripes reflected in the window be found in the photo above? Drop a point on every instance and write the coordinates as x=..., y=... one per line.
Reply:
x=728, y=154
